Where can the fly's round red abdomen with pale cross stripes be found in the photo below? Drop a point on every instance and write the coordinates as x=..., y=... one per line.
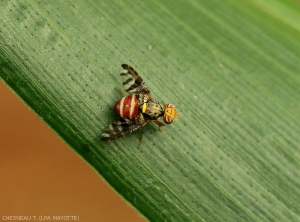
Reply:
x=127, y=107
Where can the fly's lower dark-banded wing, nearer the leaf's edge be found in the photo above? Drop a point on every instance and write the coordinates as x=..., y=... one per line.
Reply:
x=118, y=129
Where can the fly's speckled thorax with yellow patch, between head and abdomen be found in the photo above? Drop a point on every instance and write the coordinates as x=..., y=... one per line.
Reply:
x=152, y=110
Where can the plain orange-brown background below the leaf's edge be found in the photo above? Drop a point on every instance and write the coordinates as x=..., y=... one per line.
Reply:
x=41, y=176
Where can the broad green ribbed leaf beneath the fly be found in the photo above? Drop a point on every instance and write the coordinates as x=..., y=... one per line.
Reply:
x=230, y=67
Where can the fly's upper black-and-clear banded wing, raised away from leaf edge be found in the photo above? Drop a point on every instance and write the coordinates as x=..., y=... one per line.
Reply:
x=134, y=83
